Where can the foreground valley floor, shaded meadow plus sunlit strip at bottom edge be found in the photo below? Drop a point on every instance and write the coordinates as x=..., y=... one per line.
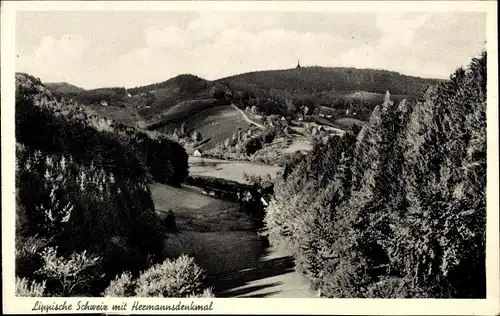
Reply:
x=222, y=239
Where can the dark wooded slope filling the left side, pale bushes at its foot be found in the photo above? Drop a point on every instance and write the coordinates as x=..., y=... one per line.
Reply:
x=84, y=212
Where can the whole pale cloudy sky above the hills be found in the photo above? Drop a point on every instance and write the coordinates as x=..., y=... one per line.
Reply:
x=128, y=49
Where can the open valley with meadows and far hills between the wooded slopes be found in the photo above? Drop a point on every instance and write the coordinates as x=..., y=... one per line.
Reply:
x=225, y=115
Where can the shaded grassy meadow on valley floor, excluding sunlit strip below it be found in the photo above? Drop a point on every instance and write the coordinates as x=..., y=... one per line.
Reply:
x=216, y=233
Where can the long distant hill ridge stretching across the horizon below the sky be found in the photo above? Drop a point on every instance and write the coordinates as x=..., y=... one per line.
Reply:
x=348, y=92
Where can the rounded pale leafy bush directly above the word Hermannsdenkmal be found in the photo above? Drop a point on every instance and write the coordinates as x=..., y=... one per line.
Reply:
x=179, y=278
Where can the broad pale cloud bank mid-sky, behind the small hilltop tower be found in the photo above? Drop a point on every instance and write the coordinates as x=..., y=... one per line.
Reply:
x=213, y=47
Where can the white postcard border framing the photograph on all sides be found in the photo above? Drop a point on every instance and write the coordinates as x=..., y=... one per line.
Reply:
x=489, y=306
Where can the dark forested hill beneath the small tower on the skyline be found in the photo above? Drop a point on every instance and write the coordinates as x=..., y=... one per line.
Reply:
x=295, y=91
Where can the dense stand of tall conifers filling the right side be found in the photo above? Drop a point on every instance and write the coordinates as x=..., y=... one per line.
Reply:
x=397, y=209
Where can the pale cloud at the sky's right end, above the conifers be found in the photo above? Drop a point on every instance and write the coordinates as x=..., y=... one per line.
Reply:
x=429, y=45
